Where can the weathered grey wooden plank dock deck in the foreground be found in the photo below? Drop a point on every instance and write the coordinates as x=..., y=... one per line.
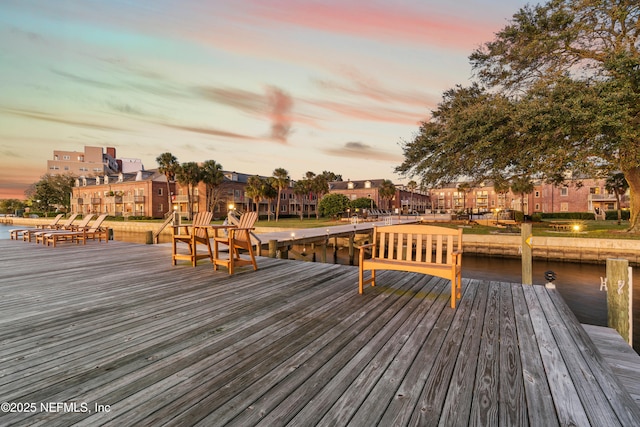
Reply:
x=113, y=334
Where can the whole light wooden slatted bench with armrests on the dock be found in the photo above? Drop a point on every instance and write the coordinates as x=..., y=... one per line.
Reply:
x=422, y=249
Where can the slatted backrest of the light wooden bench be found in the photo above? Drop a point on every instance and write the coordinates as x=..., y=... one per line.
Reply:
x=416, y=243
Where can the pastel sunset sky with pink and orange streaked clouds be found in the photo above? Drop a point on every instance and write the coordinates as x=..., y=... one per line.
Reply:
x=253, y=84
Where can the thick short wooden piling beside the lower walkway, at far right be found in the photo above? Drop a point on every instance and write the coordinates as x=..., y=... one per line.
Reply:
x=619, y=297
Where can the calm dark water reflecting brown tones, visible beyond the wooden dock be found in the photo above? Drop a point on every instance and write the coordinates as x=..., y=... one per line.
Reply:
x=579, y=284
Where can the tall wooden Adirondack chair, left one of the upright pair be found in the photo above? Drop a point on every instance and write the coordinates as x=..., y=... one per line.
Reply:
x=193, y=235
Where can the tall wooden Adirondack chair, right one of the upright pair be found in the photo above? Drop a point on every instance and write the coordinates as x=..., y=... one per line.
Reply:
x=237, y=237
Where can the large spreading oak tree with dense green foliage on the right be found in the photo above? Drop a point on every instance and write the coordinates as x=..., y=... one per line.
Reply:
x=557, y=91
